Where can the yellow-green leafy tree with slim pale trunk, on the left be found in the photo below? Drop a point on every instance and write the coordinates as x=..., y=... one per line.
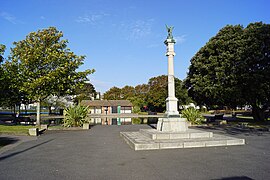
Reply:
x=46, y=66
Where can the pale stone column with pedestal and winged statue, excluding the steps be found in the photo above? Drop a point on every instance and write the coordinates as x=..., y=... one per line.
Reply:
x=172, y=122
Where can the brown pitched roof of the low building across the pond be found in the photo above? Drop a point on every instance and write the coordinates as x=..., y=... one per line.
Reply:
x=106, y=103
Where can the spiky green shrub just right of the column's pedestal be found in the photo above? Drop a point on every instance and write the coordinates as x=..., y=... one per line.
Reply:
x=194, y=116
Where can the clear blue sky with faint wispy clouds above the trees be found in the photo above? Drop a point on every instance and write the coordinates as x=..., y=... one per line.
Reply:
x=123, y=39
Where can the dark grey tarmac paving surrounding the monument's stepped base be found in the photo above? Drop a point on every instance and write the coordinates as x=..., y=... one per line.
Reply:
x=100, y=153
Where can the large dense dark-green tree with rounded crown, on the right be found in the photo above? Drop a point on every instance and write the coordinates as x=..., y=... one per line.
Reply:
x=233, y=69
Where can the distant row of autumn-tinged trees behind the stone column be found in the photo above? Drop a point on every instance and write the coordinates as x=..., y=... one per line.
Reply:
x=151, y=95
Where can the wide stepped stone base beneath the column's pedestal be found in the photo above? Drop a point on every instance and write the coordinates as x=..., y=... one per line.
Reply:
x=190, y=139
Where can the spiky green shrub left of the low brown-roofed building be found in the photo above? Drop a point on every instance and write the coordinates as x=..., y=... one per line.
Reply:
x=75, y=116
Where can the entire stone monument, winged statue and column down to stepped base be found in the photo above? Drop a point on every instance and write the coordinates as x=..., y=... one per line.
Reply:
x=172, y=130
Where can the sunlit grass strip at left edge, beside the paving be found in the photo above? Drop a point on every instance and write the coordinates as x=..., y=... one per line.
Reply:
x=15, y=129
